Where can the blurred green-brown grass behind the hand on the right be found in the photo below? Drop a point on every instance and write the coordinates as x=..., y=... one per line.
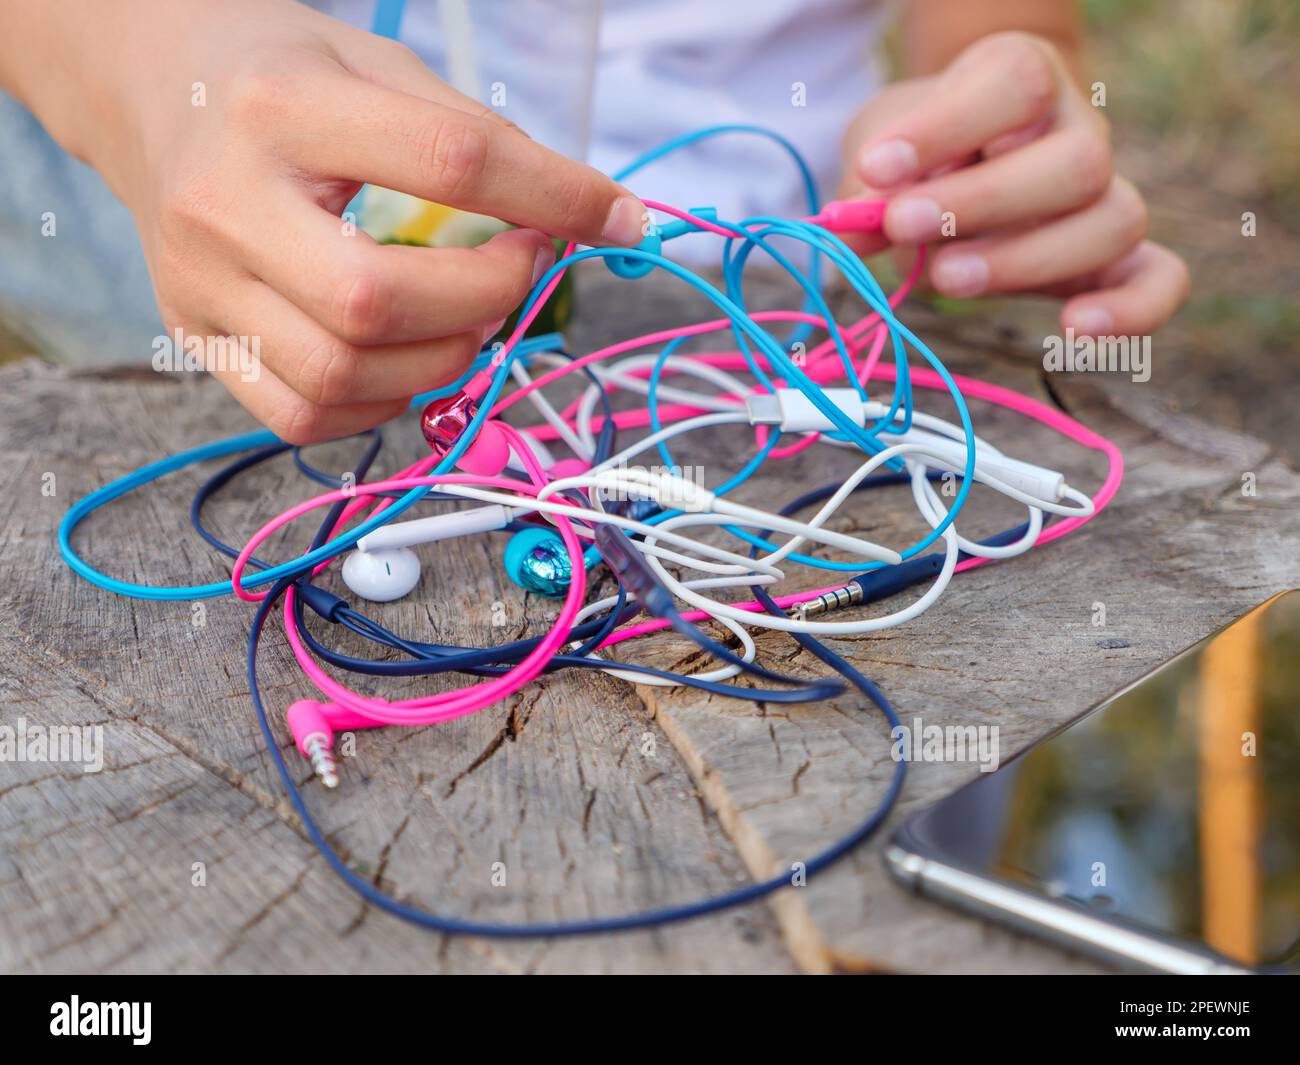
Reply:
x=1204, y=97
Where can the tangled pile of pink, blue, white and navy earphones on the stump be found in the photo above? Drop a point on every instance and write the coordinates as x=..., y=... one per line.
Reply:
x=671, y=544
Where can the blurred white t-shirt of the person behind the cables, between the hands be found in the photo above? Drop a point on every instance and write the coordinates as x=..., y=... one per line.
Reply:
x=642, y=72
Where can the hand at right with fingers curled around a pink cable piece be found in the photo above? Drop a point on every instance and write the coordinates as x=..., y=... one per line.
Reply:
x=1007, y=144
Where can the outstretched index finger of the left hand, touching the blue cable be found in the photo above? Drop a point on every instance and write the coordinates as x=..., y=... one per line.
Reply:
x=430, y=150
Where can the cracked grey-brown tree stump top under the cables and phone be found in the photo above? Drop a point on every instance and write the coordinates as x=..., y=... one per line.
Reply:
x=593, y=796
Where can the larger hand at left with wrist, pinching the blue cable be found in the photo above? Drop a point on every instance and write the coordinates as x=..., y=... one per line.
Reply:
x=239, y=132
